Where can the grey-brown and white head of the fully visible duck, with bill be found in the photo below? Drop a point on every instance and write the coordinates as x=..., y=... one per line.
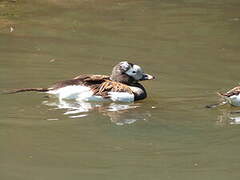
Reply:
x=129, y=73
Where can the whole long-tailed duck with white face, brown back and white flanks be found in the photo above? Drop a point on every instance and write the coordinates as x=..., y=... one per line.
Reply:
x=122, y=85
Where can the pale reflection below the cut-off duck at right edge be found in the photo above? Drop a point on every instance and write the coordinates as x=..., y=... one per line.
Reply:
x=229, y=116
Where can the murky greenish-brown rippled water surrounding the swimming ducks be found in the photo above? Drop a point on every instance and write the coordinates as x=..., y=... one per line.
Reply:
x=191, y=46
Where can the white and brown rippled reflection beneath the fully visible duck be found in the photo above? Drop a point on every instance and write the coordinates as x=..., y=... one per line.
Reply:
x=118, y=113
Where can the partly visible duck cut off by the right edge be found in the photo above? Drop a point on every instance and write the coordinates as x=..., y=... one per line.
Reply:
x=231, y=97
